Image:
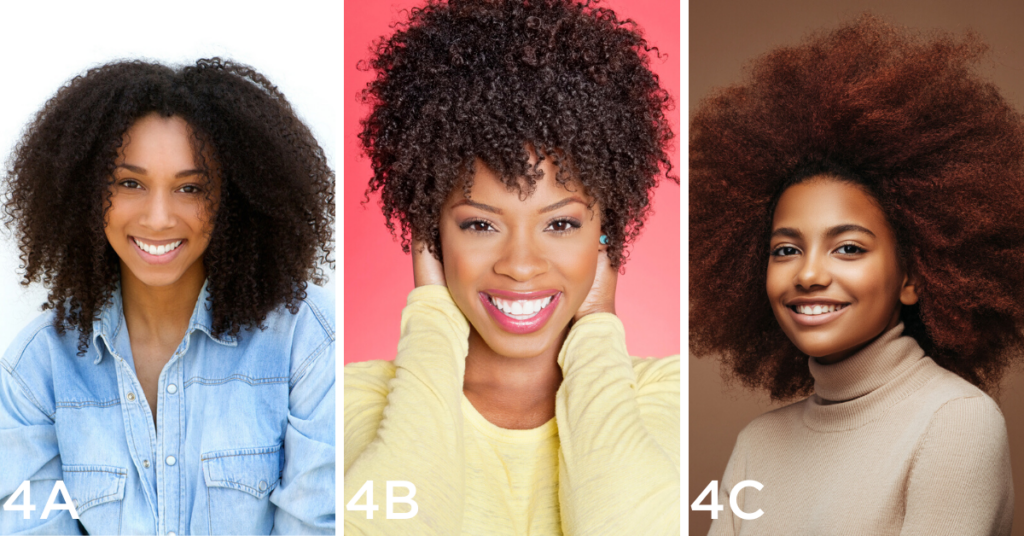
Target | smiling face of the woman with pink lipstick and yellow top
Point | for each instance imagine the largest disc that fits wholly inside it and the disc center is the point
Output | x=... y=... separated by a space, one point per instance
x=520 y=269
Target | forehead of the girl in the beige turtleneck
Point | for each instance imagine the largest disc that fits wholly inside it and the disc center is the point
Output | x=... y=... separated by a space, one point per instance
x=823 y=202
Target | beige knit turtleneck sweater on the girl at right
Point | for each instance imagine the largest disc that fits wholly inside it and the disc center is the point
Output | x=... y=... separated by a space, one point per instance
x=890 y=443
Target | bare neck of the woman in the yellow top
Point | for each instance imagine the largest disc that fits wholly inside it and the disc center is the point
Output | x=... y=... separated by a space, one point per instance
x=520 y=385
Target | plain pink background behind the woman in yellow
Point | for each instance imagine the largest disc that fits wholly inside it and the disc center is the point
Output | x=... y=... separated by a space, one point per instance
x=378 y=275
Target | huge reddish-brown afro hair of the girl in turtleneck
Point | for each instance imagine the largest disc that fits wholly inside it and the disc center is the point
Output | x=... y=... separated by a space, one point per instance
x=908 y=118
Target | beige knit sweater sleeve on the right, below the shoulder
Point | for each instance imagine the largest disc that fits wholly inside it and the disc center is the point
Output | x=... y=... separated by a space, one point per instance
x=961 y=481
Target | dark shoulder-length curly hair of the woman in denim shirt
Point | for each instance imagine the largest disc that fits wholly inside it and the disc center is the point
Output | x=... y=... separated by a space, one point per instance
x=274 y=226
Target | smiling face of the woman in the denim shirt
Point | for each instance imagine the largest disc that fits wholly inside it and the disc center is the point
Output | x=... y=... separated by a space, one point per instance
x=160 y=218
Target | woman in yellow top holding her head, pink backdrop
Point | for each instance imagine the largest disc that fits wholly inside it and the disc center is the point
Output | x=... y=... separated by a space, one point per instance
x=517 y=145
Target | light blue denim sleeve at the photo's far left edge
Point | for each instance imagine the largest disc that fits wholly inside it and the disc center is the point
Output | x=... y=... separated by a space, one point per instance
x=29 y=452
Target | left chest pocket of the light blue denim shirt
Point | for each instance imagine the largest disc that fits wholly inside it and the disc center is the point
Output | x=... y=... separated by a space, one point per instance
x=98 y=492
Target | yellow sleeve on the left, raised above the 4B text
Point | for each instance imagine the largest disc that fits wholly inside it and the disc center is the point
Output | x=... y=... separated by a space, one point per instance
x=419 y=435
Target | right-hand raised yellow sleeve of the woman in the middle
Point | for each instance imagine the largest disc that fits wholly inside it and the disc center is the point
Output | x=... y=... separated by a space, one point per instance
x=619 y=460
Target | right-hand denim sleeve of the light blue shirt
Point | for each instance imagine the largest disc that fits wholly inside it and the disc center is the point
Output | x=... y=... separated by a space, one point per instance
x=306 y=499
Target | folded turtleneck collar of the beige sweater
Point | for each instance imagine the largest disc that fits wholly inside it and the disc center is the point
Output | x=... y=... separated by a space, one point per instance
x=864 y=387
